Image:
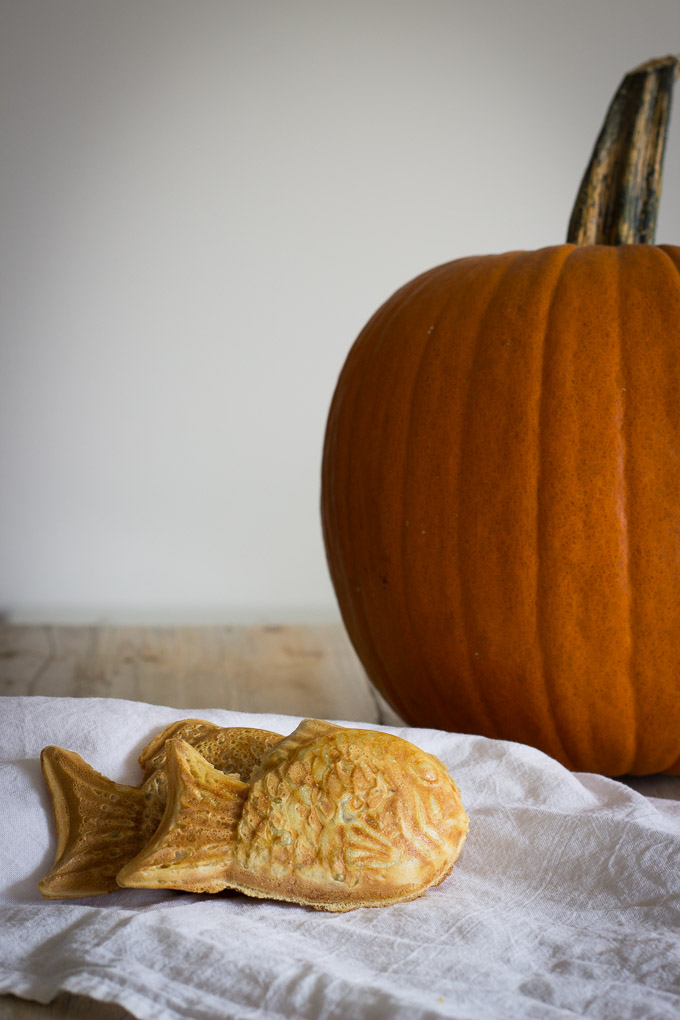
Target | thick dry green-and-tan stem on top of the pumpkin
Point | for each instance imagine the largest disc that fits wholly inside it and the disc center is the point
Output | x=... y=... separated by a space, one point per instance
x=618 y=200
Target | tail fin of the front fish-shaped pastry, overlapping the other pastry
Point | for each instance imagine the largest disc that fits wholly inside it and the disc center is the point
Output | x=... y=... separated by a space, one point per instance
x=193 y=847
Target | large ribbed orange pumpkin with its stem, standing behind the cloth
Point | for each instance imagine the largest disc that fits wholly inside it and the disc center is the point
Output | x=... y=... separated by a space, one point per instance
x=501 y=484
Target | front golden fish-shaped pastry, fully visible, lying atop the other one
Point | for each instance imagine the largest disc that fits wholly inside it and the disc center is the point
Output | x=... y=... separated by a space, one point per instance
x=333 y=818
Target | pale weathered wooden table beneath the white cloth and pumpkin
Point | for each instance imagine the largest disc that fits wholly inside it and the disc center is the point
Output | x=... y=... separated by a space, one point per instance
x=296 y=671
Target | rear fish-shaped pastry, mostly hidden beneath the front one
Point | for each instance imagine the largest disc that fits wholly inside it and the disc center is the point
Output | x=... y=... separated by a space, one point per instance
x=101 y=825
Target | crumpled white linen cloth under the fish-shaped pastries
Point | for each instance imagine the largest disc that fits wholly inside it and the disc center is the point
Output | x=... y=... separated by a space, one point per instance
x=565 y=901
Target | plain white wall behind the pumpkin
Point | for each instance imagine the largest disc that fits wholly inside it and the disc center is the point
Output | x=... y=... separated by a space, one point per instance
x=202 y=202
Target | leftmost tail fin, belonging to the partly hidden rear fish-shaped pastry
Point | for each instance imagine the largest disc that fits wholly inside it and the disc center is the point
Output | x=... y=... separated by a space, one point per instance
x=97 y=825
